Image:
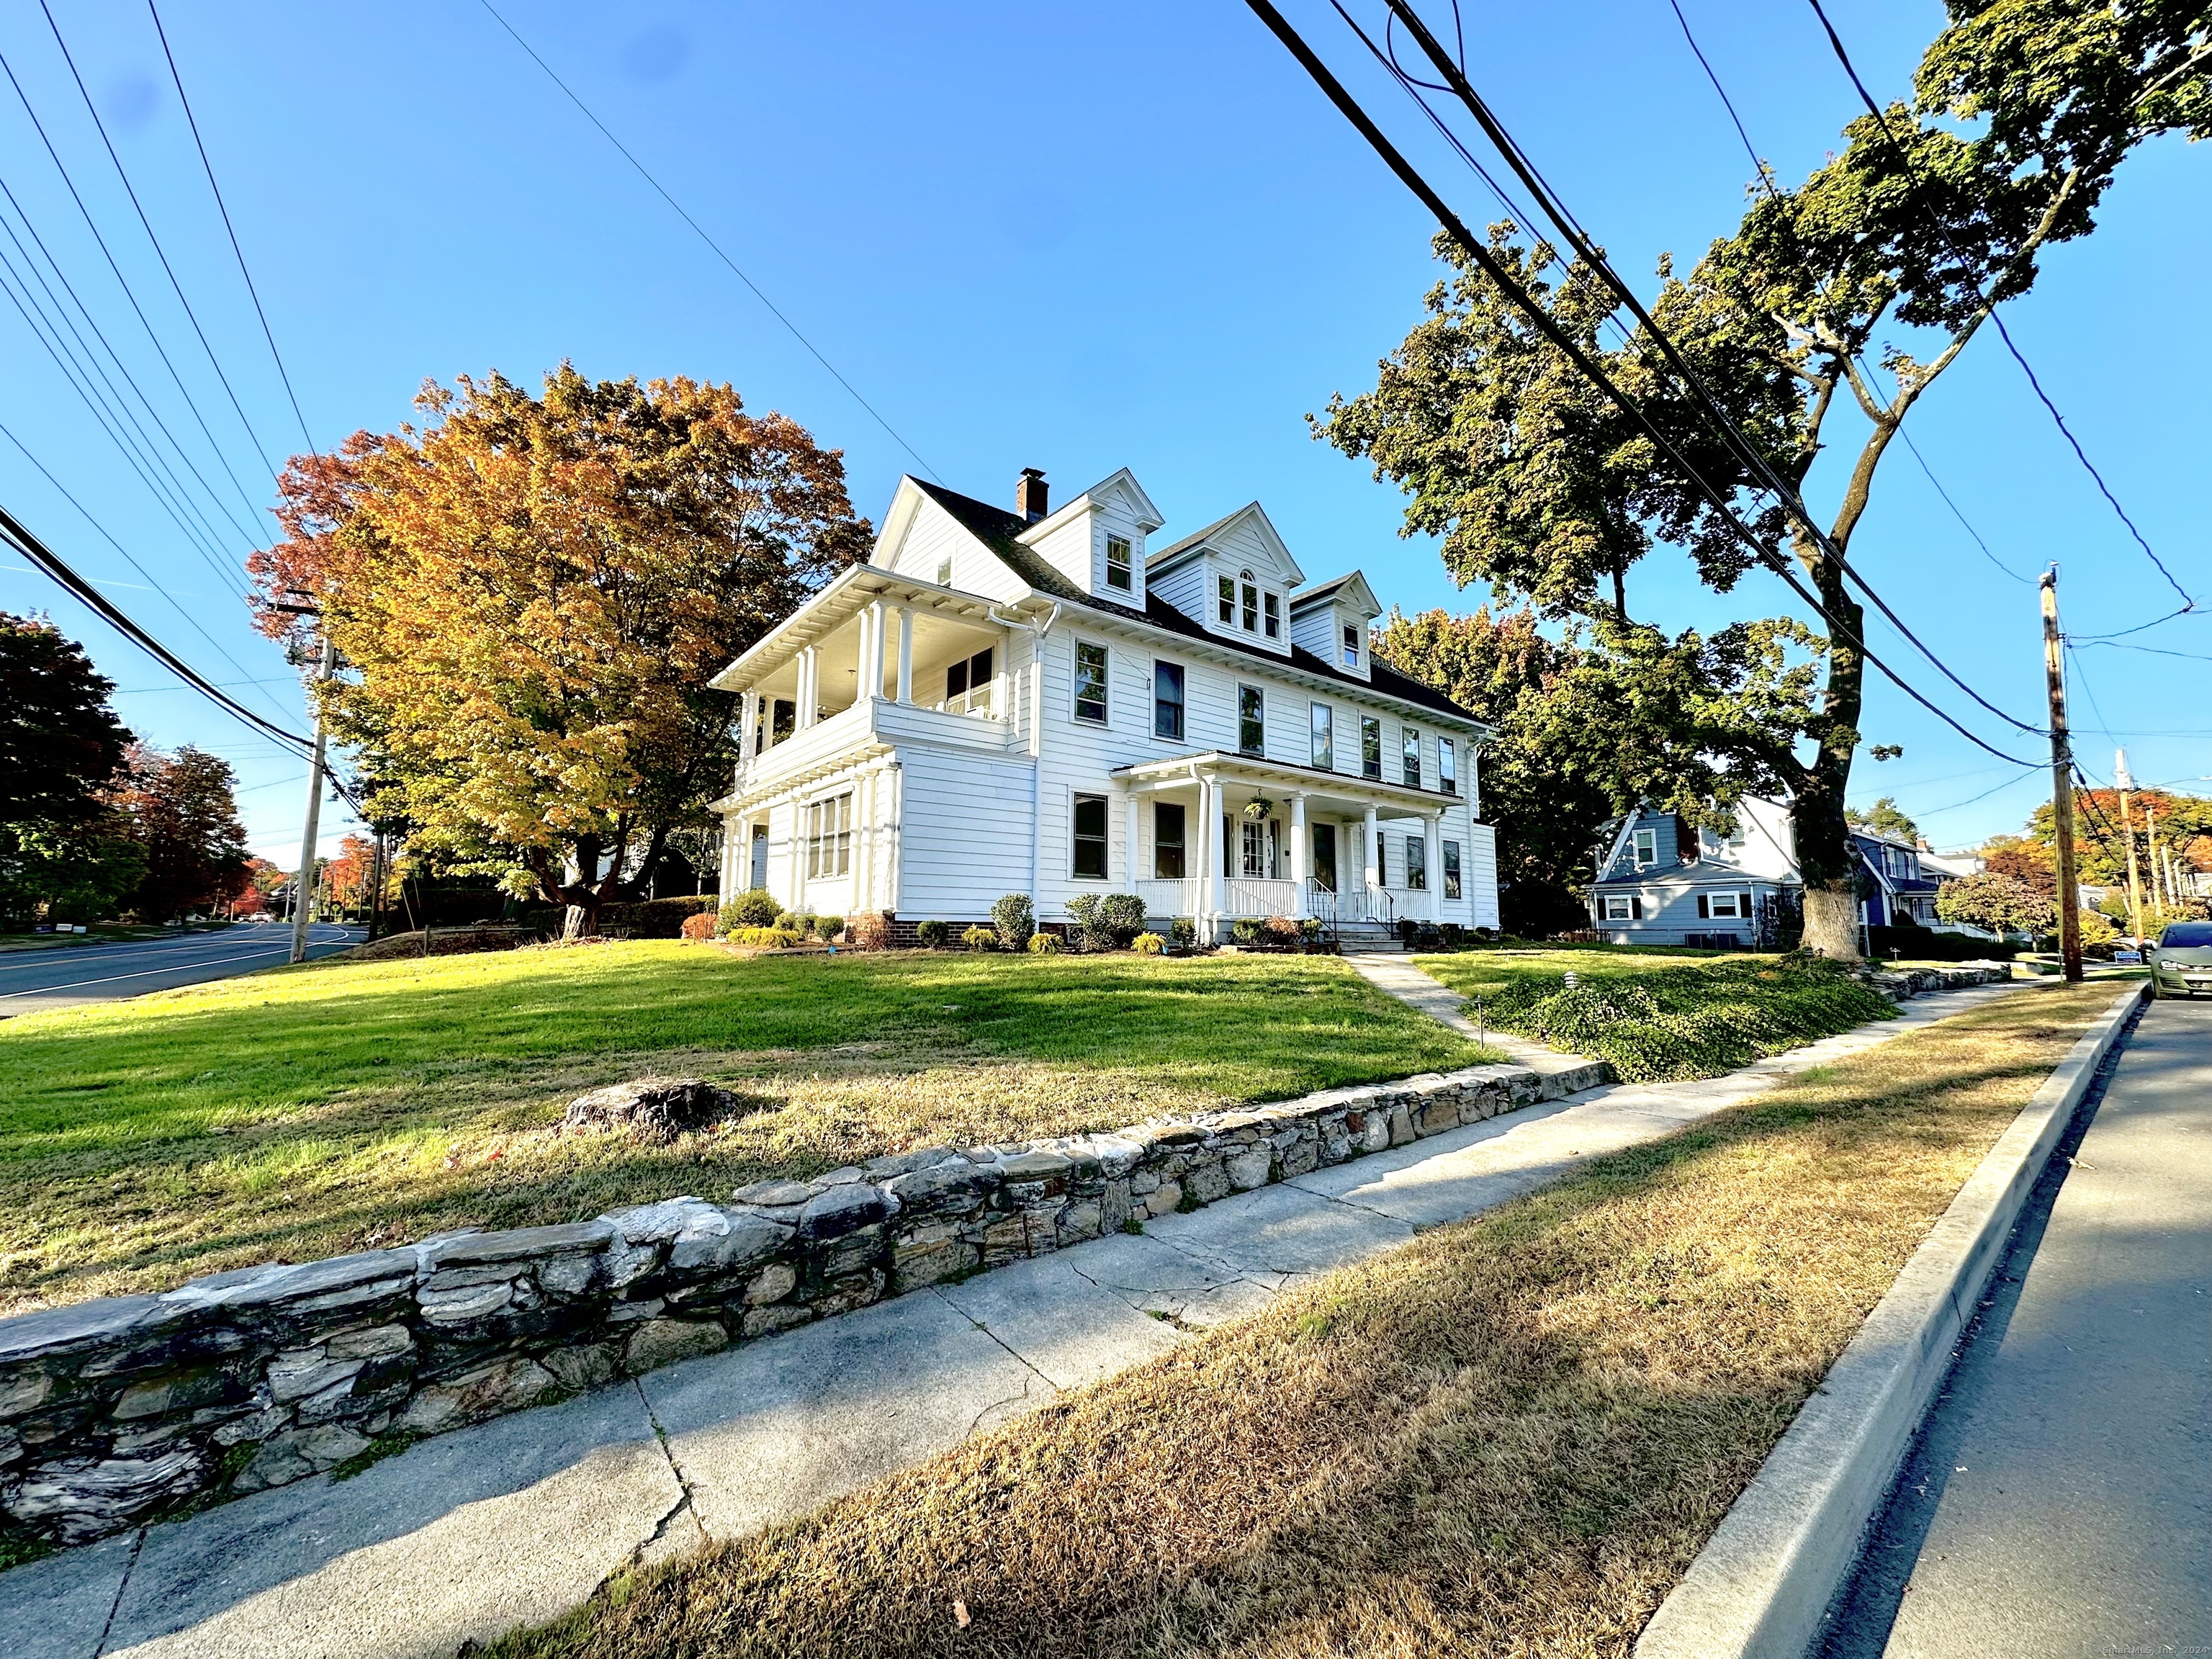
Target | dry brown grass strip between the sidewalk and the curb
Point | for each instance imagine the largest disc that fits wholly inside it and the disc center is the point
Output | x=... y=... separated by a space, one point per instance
x=1505 y=1439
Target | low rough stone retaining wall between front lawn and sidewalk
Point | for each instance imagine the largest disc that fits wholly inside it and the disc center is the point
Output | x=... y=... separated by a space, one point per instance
x=125 y=1410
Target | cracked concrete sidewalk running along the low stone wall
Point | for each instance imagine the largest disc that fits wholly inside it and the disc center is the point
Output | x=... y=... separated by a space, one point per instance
x=521 y=1519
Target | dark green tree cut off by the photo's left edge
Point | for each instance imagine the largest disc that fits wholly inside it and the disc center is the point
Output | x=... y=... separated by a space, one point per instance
x=61 y=747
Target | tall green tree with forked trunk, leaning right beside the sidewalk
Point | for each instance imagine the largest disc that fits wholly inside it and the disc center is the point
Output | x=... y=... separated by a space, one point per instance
x=1928 y=220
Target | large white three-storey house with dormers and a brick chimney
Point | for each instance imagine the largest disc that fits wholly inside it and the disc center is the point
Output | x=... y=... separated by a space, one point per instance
x=1043 y=702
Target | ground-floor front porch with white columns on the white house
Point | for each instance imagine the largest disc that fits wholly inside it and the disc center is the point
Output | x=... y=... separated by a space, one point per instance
x=1229 y=837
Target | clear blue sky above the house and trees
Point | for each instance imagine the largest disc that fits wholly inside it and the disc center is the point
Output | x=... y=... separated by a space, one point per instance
x=1067 y=238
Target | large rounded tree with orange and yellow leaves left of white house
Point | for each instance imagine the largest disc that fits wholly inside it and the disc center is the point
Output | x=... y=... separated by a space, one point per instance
x=530 y=594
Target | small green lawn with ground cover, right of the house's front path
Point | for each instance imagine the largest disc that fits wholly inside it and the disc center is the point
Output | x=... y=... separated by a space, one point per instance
x=1662 y=1014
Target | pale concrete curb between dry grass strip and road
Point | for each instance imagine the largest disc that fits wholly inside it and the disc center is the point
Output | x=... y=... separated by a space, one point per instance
x=1773 y=1567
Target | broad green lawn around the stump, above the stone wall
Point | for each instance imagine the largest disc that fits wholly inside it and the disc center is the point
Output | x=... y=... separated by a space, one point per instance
x=353 y=1105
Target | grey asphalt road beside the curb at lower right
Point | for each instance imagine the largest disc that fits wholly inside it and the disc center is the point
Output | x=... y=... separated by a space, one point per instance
x=2060 y=1499
